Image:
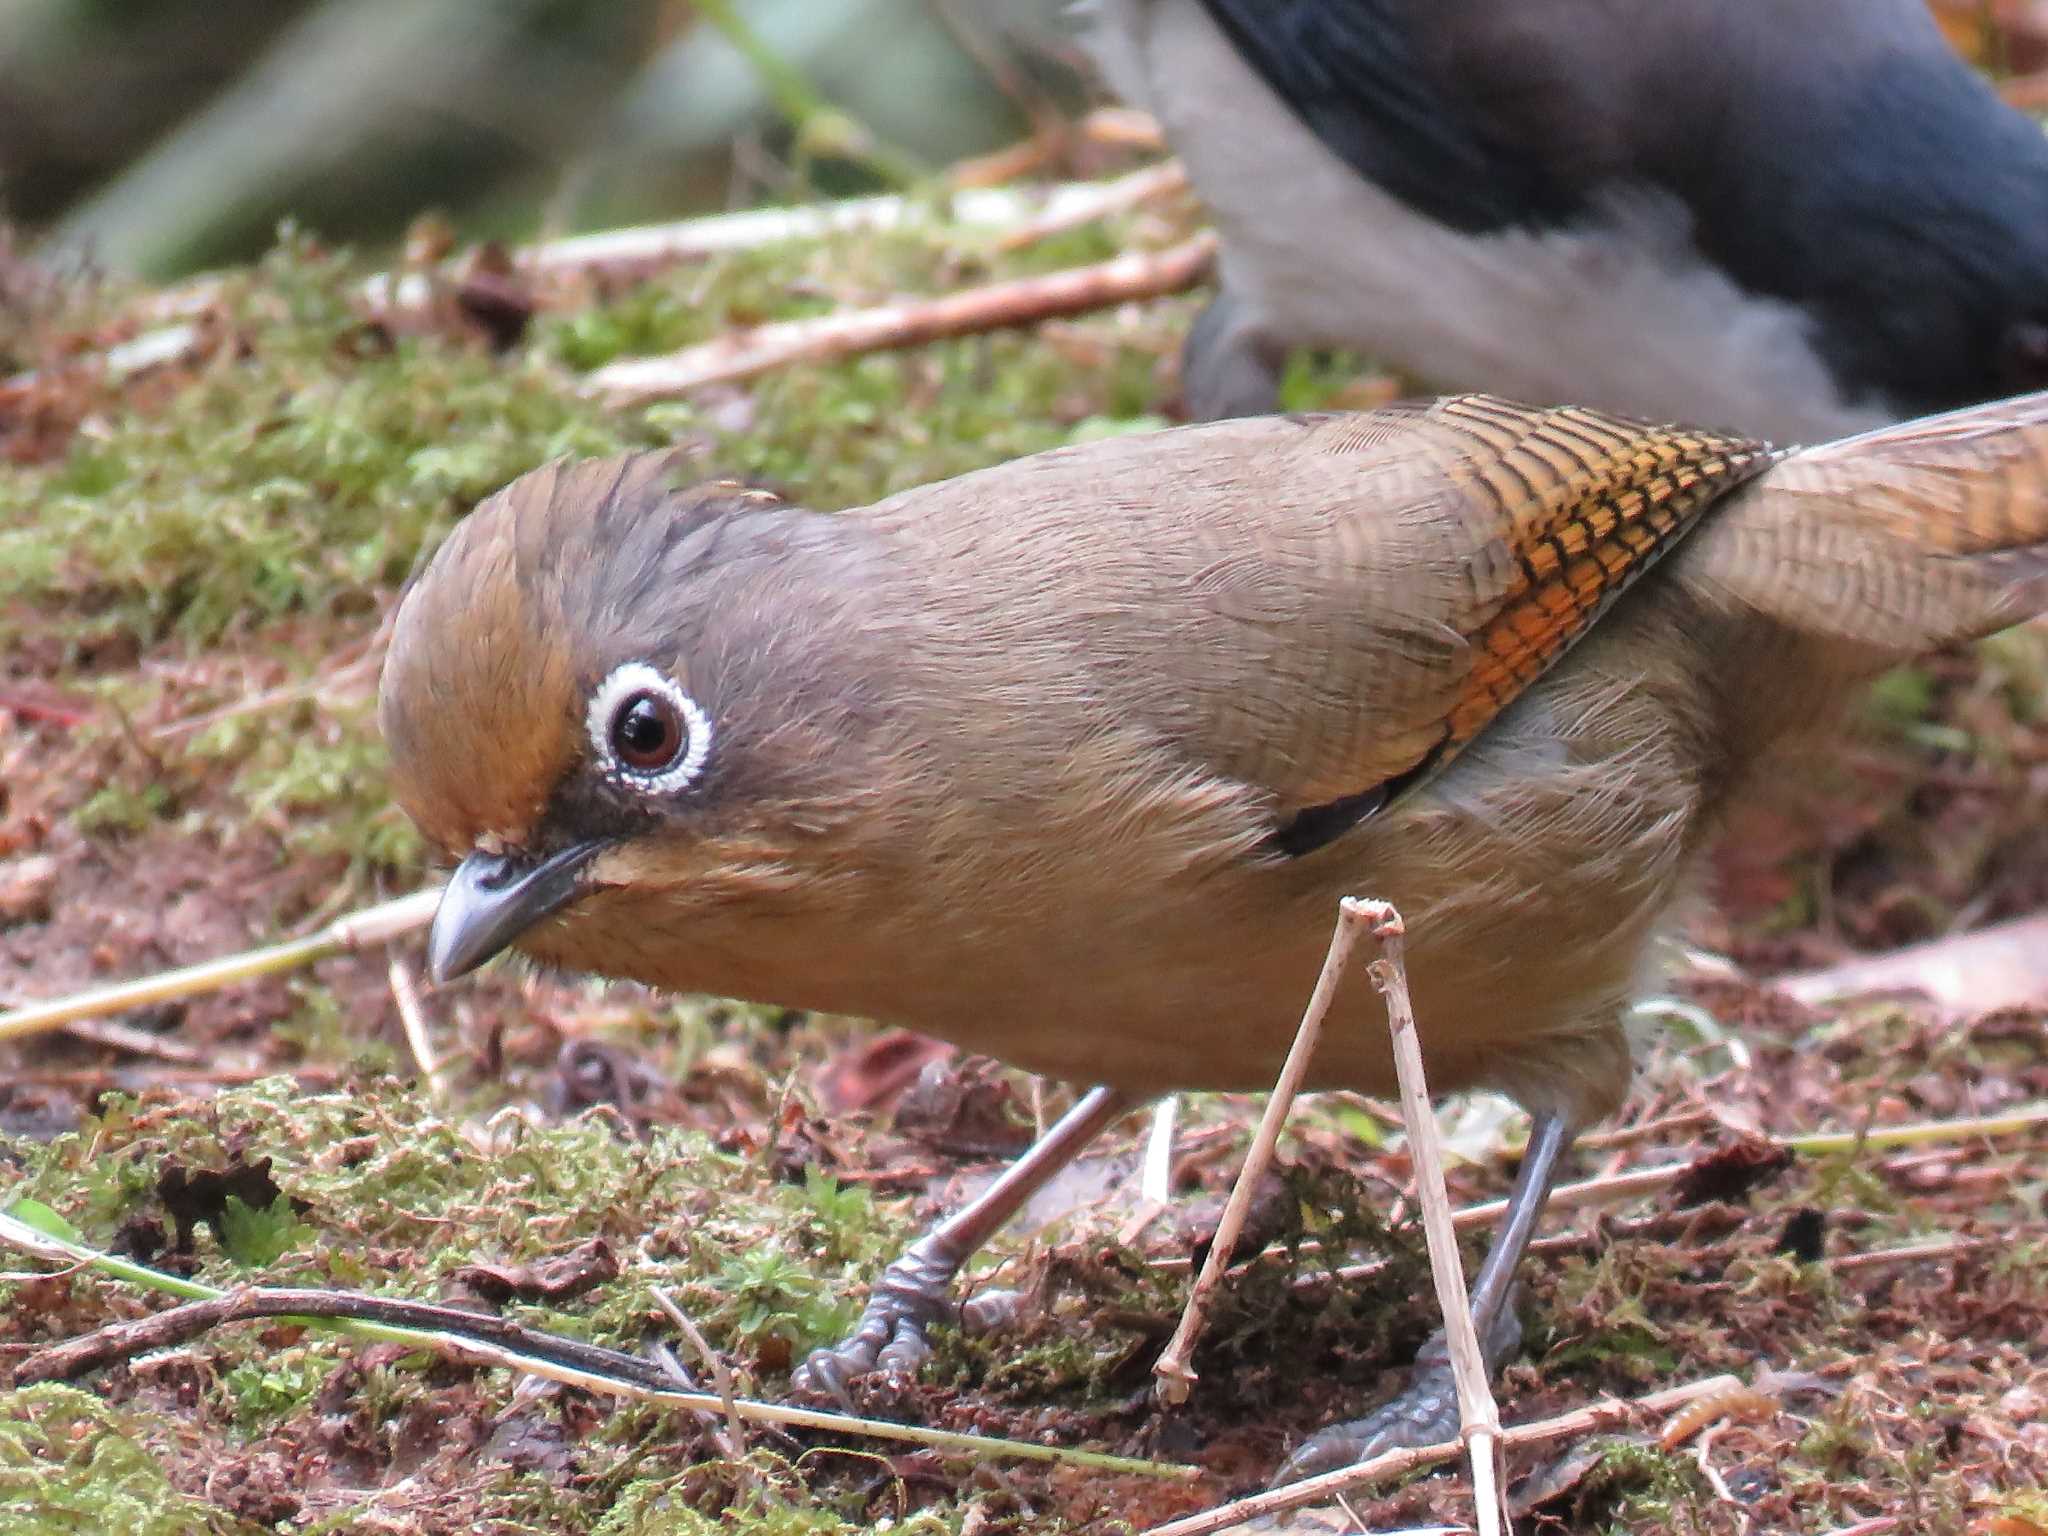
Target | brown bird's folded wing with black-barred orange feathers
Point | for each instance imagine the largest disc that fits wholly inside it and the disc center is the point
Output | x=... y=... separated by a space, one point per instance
x=1406 y=579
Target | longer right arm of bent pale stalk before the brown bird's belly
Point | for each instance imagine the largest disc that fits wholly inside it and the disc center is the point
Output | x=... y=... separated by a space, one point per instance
x=1478 y=1412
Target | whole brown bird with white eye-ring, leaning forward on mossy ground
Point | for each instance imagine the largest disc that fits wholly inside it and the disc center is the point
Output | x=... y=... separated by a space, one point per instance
x=1070 y=761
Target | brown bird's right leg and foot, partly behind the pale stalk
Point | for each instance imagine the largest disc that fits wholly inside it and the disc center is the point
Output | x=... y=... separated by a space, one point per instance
x=1426 y=1410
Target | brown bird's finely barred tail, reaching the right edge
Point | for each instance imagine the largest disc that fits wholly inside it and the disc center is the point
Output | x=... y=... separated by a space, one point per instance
x=1889 y=544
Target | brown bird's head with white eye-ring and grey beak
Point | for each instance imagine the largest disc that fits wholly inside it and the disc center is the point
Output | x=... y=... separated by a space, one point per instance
x=605 y=699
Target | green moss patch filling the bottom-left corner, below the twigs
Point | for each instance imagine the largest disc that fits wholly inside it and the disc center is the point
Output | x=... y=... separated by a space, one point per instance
x=71 y=1463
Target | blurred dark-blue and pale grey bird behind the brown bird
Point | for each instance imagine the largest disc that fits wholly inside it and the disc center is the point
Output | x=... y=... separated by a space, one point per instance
x=1787 y=220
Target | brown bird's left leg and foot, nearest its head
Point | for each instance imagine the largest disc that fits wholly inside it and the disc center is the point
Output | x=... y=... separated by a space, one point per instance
x=914 y=1291
